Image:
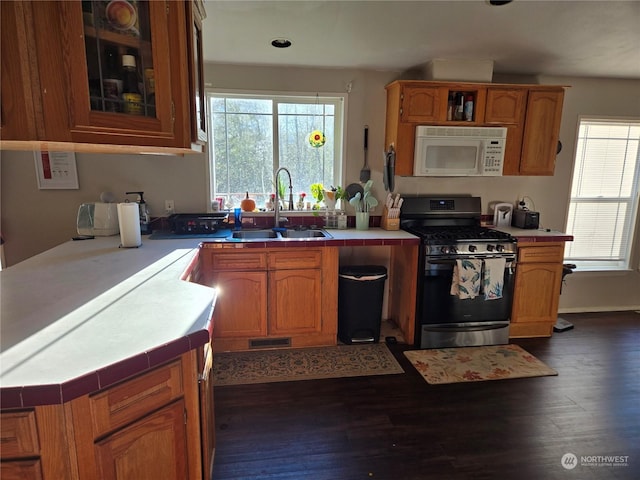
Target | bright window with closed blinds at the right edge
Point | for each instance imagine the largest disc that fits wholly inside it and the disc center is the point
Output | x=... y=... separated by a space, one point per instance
x=604 y=194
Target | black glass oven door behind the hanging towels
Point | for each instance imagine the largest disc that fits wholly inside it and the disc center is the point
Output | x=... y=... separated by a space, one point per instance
x=438 y=306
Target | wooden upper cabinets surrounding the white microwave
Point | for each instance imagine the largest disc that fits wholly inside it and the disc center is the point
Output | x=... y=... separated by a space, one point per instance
x=531 y=114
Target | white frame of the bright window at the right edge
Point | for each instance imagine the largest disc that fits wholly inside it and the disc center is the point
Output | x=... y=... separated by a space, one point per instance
x=632 y=226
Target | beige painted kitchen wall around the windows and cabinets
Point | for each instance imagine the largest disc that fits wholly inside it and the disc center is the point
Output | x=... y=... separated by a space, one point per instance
x=25 y=209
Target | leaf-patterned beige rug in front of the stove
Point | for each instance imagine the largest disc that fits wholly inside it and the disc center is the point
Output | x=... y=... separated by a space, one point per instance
x=475 y=364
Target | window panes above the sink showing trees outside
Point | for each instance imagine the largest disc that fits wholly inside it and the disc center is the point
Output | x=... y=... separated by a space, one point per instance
x=254 y=135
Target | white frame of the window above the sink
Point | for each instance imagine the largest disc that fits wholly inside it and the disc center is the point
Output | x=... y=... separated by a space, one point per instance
x=339 y=153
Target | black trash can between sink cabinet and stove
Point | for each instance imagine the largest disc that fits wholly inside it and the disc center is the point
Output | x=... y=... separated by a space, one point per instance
x=360 y=296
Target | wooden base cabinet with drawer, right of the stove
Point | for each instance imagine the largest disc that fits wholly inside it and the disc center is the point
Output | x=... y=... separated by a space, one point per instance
x=537 y=289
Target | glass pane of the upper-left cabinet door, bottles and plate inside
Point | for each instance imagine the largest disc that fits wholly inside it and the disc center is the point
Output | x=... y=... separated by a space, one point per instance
x=118 y=48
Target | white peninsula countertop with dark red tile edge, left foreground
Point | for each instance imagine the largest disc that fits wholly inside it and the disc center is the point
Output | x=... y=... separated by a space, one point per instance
x=87 y=314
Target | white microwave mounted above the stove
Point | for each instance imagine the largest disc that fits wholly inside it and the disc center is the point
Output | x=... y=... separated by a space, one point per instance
x=459 y=151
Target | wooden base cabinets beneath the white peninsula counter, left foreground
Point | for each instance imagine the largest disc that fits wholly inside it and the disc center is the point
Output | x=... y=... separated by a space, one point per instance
x=146 y=427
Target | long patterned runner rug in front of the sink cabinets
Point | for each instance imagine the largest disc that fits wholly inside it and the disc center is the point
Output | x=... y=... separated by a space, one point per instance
x=265 y=366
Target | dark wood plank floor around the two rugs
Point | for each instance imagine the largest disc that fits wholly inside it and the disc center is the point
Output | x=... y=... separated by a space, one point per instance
x=398 y=427
